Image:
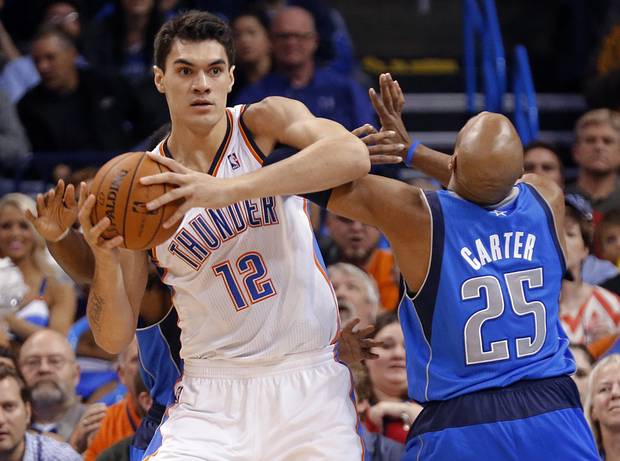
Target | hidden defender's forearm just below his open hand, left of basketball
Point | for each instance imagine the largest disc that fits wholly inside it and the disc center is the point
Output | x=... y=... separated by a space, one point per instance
x=74 y=256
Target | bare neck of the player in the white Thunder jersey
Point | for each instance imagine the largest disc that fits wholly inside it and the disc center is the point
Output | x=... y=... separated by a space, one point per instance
x=196 y=149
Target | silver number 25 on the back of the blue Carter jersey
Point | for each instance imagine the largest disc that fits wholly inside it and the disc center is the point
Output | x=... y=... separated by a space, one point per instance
x=525 y=346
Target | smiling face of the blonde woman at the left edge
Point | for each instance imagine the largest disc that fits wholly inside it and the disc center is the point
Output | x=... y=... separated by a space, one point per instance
x=16 y=234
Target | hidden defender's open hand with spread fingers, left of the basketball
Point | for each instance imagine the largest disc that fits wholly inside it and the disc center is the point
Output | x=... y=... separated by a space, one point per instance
x=56 y=212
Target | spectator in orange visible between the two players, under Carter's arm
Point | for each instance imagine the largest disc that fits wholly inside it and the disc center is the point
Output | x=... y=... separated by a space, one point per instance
x=356 y=243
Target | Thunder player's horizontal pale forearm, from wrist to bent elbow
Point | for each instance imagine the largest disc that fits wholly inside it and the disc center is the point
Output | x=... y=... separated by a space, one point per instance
x=323 y=165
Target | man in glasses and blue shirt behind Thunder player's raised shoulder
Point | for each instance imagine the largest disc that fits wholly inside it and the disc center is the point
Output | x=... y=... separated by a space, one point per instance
x=325 y=92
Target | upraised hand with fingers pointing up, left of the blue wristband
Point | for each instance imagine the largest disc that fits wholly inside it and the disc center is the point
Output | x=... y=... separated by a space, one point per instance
x=389 y=106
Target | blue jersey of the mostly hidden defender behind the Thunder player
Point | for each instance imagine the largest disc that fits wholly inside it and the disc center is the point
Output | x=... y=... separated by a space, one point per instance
x=161 y=365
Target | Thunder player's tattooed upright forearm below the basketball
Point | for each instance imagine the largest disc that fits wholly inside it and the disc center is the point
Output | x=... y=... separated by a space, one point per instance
x=110 y=316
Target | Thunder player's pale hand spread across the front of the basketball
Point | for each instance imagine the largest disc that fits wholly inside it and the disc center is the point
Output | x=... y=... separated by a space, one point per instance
x=195 y=188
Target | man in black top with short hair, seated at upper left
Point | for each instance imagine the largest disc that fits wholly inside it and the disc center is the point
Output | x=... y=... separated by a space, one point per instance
x=75 y=109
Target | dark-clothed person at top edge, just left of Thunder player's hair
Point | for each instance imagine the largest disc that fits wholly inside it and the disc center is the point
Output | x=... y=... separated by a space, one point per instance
x=122 y=42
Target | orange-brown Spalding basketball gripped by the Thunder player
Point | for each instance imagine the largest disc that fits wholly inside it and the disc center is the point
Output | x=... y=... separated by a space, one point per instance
x=121 y=197
